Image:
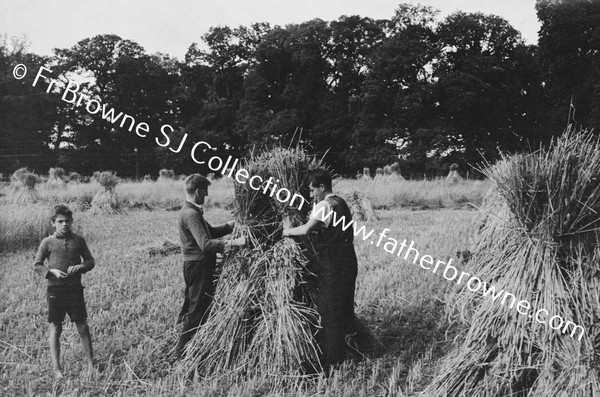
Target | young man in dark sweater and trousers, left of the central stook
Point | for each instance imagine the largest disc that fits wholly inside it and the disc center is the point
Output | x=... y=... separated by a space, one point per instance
x=199 y=246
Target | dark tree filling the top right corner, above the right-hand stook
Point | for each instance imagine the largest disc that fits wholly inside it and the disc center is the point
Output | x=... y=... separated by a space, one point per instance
x=569 y=50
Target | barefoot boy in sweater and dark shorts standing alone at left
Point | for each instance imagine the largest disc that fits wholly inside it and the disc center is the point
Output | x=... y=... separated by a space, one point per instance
x=68 y=258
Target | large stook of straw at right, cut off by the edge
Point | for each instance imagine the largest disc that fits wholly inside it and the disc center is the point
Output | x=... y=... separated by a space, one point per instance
x=541 y=246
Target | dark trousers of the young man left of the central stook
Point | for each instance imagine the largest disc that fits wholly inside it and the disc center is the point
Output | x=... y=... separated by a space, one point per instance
x=199 y=291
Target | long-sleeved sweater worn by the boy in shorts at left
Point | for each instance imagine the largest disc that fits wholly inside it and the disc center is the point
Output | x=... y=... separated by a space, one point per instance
x=62 y=252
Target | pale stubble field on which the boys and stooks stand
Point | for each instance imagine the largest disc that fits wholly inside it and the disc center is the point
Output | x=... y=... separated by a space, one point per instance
x=133 y=299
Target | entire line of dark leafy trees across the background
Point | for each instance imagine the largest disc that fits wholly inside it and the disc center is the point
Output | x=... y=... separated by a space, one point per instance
x=414 y=89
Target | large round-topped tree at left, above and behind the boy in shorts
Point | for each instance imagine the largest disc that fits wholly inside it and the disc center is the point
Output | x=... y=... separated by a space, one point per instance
x=119 y=74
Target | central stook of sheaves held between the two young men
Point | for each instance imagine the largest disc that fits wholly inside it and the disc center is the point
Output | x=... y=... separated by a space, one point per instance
x=263 y=315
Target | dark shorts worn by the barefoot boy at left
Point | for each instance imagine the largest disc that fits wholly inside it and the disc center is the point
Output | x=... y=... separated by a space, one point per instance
x=67 y=299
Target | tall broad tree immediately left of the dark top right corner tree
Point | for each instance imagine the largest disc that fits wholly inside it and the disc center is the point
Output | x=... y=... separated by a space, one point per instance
x=477 y=104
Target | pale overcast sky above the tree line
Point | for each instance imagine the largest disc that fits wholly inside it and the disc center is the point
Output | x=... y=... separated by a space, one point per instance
x=170 y=27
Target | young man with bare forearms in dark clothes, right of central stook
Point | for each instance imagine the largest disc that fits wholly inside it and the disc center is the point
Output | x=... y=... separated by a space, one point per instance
x=337 y=267
